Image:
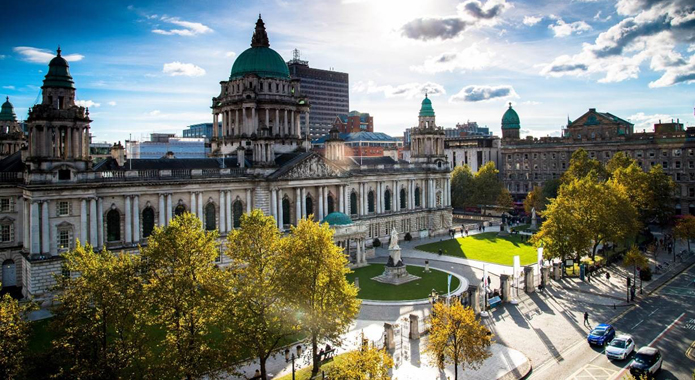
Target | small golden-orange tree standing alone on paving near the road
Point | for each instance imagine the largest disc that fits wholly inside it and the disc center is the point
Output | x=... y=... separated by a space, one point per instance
x=457 y=337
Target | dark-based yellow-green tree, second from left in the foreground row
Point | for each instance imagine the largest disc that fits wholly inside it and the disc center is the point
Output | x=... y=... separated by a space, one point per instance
x=100 y=316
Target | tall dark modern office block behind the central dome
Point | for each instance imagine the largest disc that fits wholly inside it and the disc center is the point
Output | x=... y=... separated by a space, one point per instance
x=327 y=90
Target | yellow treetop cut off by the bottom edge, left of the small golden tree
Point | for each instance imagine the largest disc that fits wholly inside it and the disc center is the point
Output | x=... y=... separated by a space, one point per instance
x=365 y=363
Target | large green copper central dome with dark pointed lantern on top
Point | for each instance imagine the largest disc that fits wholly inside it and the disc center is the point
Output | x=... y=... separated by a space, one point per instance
x=260 y=59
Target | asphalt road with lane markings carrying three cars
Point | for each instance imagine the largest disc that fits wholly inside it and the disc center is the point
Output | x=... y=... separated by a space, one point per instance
x=665 y=320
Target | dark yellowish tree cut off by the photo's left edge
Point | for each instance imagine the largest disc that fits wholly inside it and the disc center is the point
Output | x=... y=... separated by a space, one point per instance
x=14 y=334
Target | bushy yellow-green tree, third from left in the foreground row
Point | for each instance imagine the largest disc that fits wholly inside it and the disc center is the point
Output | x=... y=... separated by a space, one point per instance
x=184 y=289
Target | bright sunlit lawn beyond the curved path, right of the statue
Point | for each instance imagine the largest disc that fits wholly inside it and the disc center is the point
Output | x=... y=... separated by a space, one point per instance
x=486 y=247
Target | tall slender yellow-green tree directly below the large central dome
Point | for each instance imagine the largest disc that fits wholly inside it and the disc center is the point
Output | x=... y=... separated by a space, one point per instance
x=261 y=317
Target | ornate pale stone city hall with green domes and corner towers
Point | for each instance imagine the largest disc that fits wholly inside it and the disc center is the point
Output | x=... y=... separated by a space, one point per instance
x=53 y=195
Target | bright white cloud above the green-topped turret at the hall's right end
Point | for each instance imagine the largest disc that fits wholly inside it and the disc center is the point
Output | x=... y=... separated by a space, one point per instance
x=470 y=58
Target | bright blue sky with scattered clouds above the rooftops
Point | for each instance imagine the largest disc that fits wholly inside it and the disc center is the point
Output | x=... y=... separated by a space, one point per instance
x=151 y=66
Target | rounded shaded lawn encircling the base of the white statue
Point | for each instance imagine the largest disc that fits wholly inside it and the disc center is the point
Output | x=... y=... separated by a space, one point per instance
x=414 y=290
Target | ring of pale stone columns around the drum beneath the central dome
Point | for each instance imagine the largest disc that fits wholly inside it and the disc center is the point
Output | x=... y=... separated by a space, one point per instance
x=246 y=120
